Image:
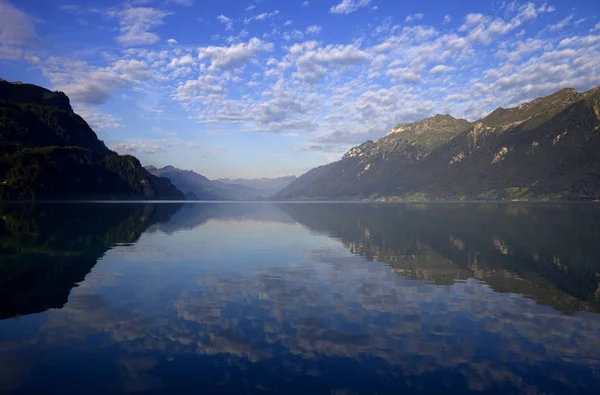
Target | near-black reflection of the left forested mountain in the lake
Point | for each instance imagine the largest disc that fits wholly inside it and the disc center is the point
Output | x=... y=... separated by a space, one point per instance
x=47 y=249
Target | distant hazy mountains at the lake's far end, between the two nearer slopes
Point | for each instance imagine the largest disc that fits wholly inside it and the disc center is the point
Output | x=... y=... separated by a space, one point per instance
x=197 y=187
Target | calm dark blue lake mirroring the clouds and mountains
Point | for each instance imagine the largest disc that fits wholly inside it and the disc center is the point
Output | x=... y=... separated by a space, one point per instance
x=300 y=298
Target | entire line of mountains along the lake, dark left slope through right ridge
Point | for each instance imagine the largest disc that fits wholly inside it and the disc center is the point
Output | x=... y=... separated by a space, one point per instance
x=548 y=148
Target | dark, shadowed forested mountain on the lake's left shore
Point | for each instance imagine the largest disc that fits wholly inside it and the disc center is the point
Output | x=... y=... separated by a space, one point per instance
x=49 y=152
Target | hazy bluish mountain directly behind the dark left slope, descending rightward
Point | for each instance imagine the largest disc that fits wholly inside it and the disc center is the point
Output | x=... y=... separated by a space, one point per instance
x=198 y=187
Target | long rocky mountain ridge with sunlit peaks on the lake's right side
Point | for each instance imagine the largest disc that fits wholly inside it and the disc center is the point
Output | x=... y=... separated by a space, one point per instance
x=548 y=148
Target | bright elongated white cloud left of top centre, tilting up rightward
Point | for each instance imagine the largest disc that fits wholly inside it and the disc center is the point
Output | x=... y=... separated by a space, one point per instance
x=234 y=55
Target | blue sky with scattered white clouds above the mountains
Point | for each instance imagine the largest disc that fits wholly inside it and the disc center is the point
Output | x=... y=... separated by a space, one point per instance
x=267 y=88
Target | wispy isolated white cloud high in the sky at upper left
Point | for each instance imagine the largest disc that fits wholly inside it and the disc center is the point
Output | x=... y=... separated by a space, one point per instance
x=136 y=23
